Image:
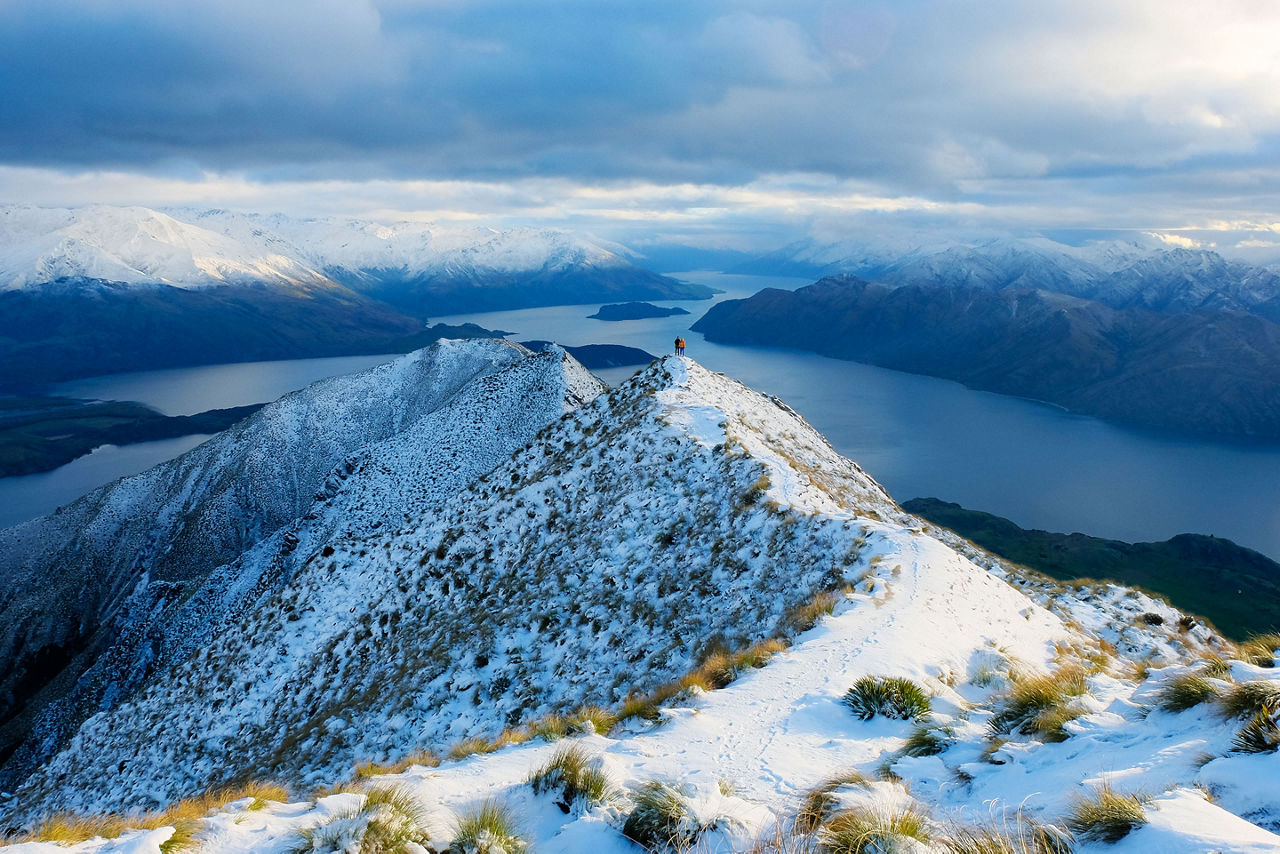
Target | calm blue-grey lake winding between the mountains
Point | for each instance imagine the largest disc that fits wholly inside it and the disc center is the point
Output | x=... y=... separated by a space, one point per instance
x=918 y=436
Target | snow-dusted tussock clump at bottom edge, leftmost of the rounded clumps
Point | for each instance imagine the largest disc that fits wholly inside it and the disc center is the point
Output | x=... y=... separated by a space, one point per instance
x=388 y=821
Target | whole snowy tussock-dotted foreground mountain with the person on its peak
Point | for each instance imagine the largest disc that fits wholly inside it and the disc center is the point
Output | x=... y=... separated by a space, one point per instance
x=633 y=555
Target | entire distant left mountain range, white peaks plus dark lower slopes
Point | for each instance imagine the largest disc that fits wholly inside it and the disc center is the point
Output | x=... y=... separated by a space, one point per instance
x=103 y=290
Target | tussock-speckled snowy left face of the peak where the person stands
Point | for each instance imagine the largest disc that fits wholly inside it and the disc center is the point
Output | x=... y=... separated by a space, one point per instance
x=598 y=561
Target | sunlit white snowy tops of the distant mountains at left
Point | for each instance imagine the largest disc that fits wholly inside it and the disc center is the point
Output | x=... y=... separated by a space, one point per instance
x=188 y=249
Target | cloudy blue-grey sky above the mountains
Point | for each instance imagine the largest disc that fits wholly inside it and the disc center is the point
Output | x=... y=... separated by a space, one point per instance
x=715 y=124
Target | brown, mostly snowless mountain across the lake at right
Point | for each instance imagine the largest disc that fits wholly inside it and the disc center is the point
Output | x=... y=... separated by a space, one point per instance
x=1203 y=372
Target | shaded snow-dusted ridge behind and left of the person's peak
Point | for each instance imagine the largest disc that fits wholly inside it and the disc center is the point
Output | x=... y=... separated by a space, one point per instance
x=90 y=592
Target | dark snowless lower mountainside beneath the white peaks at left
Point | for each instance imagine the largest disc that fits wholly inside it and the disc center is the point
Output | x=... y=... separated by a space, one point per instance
x=86 y=327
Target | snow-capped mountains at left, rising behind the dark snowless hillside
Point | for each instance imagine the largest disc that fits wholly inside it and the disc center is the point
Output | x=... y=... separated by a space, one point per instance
x=422 y=267
